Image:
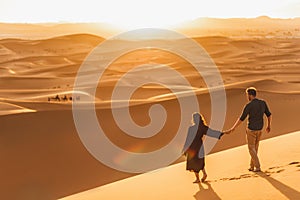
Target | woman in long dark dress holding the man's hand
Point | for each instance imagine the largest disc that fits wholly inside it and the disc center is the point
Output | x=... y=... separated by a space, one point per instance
x=194 y=152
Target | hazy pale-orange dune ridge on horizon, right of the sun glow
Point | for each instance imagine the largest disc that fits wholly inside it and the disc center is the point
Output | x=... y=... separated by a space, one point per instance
x=262 y=26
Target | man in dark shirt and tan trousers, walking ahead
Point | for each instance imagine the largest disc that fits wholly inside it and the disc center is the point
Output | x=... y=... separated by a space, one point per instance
x=255 y=111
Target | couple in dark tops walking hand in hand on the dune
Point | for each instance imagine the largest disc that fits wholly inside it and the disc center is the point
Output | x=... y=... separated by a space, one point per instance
x=255 y=110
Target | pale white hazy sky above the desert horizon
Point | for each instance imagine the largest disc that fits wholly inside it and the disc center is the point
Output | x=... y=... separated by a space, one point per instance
x=141 y=13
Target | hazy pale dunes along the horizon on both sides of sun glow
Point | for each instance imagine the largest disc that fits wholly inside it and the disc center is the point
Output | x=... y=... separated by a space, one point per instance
x=262 y=26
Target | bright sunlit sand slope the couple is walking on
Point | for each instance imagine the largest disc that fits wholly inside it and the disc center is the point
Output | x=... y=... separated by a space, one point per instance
x=228 y=177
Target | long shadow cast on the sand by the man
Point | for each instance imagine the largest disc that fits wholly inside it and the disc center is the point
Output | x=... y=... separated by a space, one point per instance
x=287 y=191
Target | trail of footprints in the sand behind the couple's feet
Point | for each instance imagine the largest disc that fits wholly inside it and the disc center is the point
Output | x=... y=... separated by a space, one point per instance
x=268 y=172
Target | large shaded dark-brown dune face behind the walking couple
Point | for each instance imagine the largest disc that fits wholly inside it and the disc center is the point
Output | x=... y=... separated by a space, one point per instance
x=43 y=156
